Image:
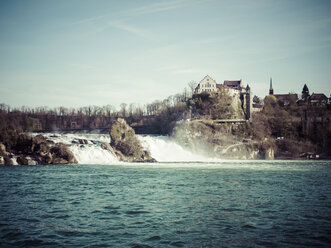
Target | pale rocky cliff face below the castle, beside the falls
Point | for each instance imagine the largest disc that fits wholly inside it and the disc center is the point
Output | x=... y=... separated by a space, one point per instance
x=226 y=141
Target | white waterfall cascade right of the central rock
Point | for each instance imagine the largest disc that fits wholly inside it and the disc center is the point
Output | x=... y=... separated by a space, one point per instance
x=165 y=149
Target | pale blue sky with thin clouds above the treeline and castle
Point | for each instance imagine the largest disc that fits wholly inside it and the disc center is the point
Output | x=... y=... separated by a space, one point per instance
x=76 y=53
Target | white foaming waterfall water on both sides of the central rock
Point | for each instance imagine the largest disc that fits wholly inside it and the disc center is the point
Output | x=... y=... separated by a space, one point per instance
x=162 y=148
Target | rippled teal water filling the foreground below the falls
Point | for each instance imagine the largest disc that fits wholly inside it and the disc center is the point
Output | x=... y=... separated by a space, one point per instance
x=229 y=204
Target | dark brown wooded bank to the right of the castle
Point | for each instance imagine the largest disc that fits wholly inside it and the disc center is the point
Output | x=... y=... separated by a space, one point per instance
x=295 y=129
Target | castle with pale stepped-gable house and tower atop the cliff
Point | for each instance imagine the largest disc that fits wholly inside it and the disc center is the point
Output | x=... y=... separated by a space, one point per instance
x=209 y=85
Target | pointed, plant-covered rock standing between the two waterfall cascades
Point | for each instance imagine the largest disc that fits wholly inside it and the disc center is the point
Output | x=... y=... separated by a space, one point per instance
x=126 y=145
